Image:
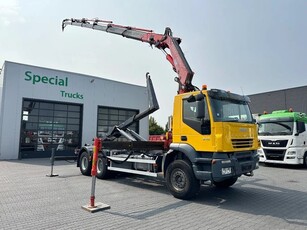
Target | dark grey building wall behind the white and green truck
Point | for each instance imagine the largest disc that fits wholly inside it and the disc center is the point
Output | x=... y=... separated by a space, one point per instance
x=295 y=98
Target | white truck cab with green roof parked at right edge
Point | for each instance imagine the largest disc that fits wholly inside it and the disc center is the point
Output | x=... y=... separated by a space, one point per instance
x=283 y=138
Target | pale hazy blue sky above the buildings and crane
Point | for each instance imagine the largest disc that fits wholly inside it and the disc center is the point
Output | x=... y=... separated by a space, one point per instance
x=244 y=46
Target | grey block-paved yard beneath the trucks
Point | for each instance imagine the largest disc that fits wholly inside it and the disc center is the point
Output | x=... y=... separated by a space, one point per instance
x=275 y=198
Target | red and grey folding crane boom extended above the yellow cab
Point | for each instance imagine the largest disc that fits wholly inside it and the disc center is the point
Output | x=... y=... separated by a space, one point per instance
x=161 y=41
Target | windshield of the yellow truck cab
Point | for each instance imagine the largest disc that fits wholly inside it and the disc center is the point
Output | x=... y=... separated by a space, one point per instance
x=231 y=110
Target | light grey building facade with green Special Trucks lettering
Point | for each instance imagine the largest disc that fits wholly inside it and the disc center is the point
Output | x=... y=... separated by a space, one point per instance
x=42 y=109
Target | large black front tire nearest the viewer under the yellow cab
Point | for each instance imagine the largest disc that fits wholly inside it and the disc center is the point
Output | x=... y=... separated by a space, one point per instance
x=180 y=180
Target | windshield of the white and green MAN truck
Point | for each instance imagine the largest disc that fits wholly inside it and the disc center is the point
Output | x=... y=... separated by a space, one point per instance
x=275 y=128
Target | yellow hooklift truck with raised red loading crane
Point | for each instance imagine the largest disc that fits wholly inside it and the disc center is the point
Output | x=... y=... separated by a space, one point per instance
x=212 y=136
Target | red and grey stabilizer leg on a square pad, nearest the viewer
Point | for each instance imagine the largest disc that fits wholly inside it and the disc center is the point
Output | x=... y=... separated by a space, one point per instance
x=98 y=206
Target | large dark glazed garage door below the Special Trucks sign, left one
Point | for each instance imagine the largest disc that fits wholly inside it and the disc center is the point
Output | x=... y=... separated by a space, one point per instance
x=47 y=125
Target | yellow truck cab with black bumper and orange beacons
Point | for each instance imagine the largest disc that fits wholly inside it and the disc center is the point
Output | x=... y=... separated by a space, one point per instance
x=216 y=131
